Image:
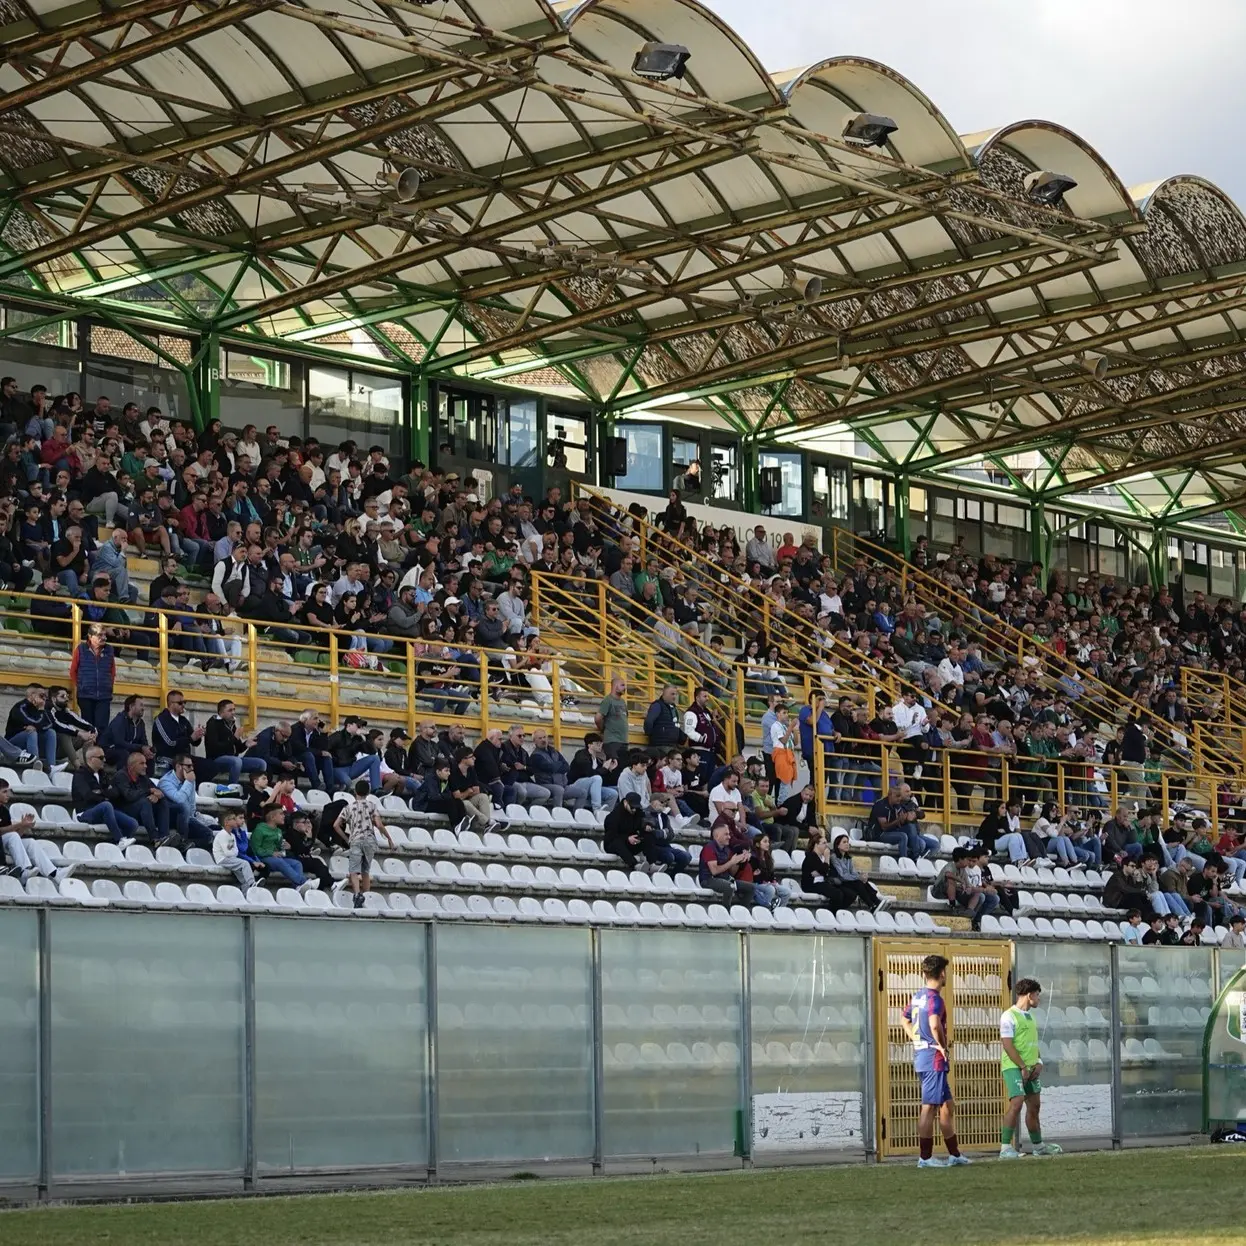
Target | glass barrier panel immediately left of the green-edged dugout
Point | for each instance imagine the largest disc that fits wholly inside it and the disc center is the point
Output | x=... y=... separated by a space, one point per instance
x=1164 y=999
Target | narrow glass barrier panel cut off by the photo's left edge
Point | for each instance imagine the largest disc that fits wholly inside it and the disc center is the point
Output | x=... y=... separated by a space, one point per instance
x=19 y=1041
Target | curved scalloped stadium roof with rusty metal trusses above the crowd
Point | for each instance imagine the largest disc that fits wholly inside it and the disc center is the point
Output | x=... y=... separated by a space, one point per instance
x=217 y=164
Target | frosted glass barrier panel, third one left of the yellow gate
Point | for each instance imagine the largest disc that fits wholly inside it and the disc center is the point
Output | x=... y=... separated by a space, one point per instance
x=515 y=1041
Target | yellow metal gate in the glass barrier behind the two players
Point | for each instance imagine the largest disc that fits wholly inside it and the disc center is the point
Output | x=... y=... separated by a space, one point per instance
x=979 y=990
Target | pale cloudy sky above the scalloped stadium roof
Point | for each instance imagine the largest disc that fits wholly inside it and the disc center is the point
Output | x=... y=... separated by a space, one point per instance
x=1154 y=87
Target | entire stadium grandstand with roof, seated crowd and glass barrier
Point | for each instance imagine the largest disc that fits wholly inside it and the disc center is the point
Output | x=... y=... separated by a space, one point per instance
x=543 y=560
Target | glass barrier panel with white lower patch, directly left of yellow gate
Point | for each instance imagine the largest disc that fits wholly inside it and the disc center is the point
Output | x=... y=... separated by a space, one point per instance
x=809 y=1017
